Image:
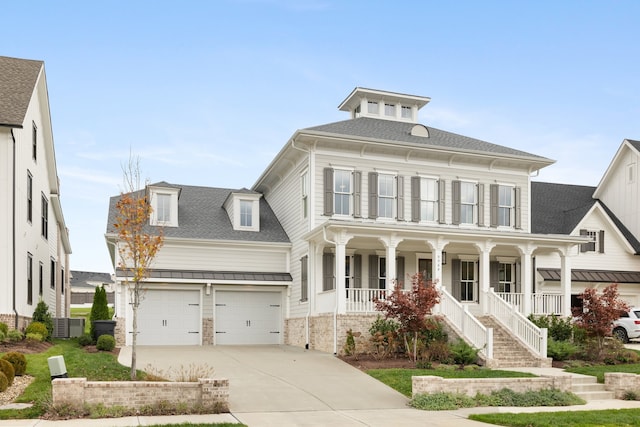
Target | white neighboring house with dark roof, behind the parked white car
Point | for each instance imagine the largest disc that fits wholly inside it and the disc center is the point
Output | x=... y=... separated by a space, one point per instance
x=608 y=214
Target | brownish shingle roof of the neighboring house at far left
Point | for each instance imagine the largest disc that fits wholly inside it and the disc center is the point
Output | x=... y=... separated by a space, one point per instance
x=18 y=78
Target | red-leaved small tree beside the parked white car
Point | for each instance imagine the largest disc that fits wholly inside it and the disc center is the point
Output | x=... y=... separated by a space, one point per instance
x=598 y=312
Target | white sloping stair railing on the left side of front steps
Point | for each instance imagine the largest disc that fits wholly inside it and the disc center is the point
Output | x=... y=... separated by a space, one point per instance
x=458 y=314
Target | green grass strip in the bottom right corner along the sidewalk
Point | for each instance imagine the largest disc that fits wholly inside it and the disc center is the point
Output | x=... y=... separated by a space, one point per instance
x=606 y=418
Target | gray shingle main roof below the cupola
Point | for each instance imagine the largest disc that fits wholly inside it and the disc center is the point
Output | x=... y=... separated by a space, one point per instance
x=367 y=127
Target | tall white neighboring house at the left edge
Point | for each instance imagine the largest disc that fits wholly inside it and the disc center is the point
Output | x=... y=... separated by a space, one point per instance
x=34 y=255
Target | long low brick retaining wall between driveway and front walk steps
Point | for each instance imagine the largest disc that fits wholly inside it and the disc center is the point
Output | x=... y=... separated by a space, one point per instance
x=472 y=386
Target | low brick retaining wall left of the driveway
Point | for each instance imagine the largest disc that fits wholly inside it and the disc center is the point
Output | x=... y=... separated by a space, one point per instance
x=76 y=392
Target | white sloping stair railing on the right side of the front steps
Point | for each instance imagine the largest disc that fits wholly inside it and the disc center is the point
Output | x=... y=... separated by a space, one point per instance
x=534 y=337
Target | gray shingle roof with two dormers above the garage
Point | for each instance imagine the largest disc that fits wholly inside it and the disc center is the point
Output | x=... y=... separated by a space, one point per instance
x=201 y=216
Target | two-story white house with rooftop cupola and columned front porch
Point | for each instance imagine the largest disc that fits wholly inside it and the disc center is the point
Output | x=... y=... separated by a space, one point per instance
x=361 y=205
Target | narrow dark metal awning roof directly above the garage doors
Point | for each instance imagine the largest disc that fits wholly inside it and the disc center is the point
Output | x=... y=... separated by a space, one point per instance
x=198 y=275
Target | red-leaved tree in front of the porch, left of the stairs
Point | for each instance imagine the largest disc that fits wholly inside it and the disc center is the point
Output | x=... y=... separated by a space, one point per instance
x=410 y=309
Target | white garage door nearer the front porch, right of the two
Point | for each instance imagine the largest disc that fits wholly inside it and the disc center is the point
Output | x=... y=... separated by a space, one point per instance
x=247 y=317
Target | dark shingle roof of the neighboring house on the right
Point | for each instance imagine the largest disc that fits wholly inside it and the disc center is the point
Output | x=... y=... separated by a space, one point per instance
x=558 y=208
